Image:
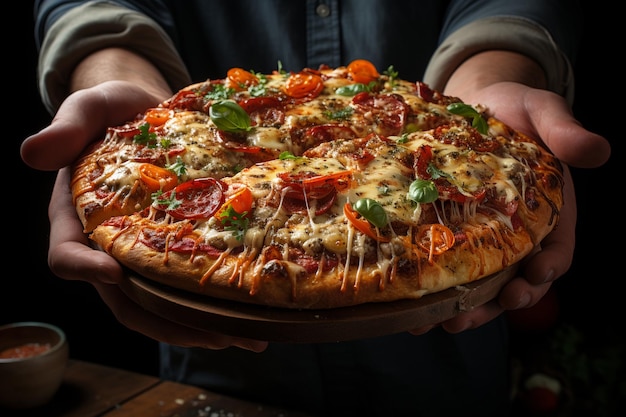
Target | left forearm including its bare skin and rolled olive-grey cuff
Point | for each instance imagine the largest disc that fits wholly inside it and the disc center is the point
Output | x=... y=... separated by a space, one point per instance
x=80 y=48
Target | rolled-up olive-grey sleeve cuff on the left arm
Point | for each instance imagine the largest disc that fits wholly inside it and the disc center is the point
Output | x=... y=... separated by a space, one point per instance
x=92 y=26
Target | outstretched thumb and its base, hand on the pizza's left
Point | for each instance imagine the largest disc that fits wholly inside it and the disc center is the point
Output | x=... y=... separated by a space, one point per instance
x=80 y=120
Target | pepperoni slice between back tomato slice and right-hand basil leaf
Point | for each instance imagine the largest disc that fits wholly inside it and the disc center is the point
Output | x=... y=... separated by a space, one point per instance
x=388 y=112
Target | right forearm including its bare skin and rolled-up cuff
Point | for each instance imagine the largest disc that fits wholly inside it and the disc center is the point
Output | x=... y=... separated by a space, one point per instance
x=500 y=48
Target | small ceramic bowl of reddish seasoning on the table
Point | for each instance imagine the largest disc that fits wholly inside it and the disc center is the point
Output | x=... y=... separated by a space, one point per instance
x=33 y=358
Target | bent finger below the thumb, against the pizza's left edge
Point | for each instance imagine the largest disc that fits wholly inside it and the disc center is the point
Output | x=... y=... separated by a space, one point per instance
x=69 y=255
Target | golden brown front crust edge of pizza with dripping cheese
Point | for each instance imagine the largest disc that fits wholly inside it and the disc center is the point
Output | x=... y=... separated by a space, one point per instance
x=279 y=285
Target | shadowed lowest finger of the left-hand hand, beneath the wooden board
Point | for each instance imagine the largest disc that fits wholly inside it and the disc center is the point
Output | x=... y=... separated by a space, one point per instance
x=136 y=318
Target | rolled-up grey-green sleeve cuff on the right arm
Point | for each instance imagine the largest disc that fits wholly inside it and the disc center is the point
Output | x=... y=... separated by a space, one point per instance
x=502 y=33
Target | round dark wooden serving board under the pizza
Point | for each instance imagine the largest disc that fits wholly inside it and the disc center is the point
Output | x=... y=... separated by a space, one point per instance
x=310 y=326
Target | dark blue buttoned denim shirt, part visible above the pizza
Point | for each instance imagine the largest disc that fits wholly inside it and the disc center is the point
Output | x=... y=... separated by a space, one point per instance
x=212 y=36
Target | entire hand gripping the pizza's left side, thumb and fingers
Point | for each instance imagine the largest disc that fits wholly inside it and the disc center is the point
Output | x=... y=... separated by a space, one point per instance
x=82 y=118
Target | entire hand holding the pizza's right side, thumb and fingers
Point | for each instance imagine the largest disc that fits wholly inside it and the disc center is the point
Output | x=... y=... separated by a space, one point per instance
x=545 y=115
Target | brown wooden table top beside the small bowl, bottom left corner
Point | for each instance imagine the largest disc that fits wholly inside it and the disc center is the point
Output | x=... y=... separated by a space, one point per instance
x=91 y=390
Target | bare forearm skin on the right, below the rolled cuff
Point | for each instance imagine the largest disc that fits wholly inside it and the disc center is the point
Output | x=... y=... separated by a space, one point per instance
x=486 y=68
